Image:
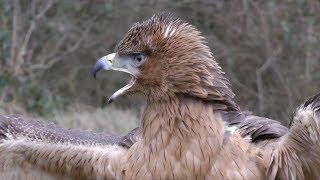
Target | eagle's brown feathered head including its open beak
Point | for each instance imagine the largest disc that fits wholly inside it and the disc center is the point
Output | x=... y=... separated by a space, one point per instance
x=166 y=57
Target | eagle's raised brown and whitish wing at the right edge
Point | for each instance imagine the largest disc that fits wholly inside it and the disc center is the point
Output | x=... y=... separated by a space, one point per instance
x=299 y=150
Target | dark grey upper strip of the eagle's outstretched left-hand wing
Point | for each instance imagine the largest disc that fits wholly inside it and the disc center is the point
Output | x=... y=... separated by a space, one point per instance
x=33 y=129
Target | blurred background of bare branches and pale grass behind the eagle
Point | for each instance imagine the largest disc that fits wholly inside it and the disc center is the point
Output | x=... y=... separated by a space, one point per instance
x=270 y=51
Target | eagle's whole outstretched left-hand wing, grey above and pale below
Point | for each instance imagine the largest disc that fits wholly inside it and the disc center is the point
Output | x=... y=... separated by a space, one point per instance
x=33 y=147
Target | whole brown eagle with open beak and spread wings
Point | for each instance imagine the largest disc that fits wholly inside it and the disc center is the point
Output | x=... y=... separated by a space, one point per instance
x=191 y=128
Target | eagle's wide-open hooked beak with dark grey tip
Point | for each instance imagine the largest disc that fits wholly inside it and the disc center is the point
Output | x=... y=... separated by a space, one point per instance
x=113 y=62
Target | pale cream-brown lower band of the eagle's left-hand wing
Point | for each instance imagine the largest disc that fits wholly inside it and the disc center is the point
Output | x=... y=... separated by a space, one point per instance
x=61 y=158
